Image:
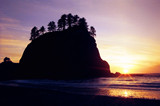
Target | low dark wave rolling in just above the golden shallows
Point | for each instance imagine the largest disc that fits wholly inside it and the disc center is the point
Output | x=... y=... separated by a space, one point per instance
x=50 y=84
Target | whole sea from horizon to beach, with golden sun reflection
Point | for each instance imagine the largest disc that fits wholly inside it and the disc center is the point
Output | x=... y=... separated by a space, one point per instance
x=128 y=86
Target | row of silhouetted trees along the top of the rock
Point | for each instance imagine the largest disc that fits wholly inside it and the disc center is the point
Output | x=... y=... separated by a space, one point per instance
x=65 y=22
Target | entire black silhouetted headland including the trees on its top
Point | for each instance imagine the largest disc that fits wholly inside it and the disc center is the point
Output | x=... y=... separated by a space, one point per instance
x=67 y=50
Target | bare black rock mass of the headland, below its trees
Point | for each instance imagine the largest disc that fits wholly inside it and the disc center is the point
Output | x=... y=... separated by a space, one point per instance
x=67 y=54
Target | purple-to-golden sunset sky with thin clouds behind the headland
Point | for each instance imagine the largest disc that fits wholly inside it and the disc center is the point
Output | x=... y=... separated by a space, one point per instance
x=128 y=31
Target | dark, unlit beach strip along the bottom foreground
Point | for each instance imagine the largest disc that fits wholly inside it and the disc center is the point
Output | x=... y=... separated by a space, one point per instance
x=20 y=96
